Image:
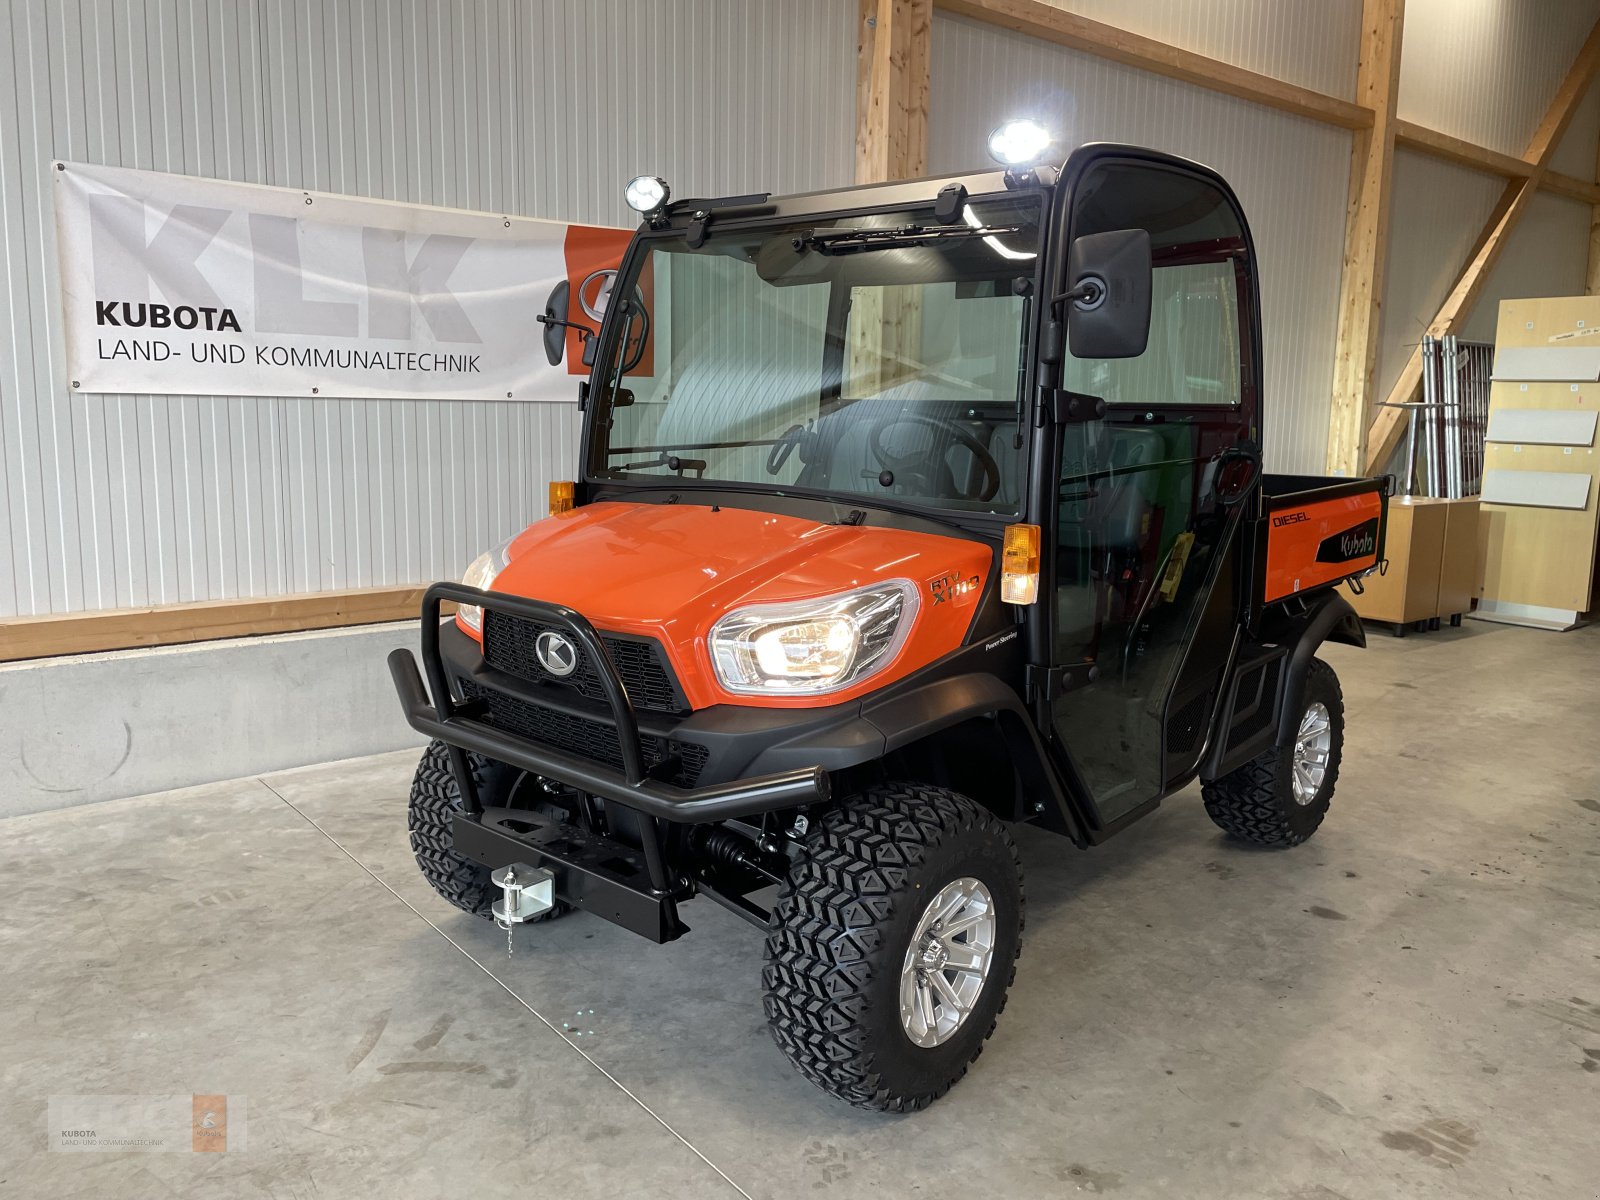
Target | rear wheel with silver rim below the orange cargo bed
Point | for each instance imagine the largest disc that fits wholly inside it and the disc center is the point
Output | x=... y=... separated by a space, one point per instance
x=1262 y=802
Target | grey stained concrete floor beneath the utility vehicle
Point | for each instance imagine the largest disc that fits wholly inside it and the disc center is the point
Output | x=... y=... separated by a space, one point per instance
x=1406 y=1007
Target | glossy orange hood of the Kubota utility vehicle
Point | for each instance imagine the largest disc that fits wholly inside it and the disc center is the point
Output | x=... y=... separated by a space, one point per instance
x=673 y=570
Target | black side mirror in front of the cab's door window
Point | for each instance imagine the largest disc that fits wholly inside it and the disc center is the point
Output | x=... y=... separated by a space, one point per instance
x=1110 y=295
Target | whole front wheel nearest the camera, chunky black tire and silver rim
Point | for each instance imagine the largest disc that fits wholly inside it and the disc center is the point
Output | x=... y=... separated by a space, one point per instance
x=892 y=946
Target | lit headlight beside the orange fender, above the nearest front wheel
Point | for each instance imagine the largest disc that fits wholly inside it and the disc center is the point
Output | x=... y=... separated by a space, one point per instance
x=815 y=646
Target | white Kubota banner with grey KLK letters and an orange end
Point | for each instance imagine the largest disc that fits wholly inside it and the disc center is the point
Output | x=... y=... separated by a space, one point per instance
x=202 y=287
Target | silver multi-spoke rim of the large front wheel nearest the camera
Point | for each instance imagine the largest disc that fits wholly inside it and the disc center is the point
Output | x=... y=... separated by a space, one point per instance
x=948 y=962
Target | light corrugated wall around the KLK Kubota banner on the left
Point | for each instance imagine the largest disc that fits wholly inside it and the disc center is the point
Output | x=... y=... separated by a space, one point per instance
x=494 y=105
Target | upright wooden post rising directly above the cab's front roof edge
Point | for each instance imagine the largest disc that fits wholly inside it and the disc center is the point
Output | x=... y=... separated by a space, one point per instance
x=892 y=89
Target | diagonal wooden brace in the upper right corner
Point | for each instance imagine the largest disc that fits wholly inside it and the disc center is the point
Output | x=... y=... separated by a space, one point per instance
x=1388 y=425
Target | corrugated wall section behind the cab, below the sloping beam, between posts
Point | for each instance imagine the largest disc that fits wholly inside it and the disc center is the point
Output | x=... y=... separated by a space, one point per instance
x=1290 y=174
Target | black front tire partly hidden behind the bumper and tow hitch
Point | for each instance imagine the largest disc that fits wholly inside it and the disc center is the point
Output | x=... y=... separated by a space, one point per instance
x=431 y=818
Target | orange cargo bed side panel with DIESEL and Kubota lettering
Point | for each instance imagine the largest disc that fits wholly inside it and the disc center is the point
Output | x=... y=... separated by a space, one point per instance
x=1316 y=532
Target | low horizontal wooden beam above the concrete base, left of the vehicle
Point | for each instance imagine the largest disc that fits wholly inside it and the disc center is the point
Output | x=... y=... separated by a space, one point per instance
x=25 y=638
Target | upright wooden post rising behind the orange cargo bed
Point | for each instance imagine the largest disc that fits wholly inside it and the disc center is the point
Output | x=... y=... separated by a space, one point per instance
x=1366 y=236
